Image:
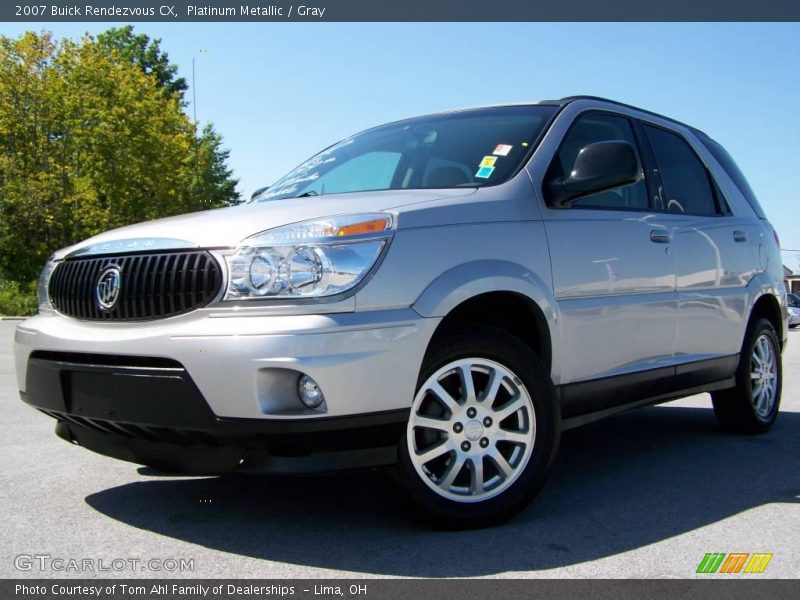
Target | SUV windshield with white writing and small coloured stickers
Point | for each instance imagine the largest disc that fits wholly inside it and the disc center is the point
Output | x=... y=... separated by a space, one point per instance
x=470 y=148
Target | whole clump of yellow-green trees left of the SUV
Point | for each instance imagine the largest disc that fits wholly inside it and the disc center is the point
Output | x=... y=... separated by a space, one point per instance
x=89 y=141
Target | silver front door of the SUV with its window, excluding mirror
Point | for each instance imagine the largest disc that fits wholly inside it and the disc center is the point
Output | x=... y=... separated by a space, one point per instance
x=613 y=278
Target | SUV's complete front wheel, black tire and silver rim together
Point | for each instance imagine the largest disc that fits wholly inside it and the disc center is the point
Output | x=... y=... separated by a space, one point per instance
x=483 y=429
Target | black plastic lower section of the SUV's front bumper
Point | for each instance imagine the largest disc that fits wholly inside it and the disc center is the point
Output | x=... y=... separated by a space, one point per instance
x=150 y=412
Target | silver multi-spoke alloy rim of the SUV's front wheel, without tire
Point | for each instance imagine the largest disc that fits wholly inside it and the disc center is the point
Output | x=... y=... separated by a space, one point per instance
x=472 y=429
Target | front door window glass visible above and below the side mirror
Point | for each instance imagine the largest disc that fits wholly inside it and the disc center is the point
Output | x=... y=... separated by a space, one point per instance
x=599 y=128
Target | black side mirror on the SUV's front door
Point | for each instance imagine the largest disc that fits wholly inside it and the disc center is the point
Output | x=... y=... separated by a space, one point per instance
x=599 y=166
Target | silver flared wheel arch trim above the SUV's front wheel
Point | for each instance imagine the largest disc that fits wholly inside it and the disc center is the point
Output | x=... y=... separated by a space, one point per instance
x=471 y=279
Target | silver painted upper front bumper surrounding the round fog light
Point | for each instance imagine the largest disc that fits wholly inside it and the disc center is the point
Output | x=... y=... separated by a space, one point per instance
x=246 y=366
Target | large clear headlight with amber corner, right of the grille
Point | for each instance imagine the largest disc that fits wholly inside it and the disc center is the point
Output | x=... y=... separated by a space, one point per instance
x=312 y=259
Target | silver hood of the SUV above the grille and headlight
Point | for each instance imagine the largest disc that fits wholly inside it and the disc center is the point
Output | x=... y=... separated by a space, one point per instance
x=226 y=227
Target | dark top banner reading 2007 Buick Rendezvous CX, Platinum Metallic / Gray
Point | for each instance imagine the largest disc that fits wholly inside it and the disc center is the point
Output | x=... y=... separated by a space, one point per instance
x=401 y=10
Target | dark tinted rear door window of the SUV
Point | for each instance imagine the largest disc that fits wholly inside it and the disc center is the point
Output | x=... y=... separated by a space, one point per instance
x=686 y=184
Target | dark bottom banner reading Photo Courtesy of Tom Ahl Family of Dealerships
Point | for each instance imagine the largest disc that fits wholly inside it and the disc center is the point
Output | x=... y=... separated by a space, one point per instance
x=399 y=589
